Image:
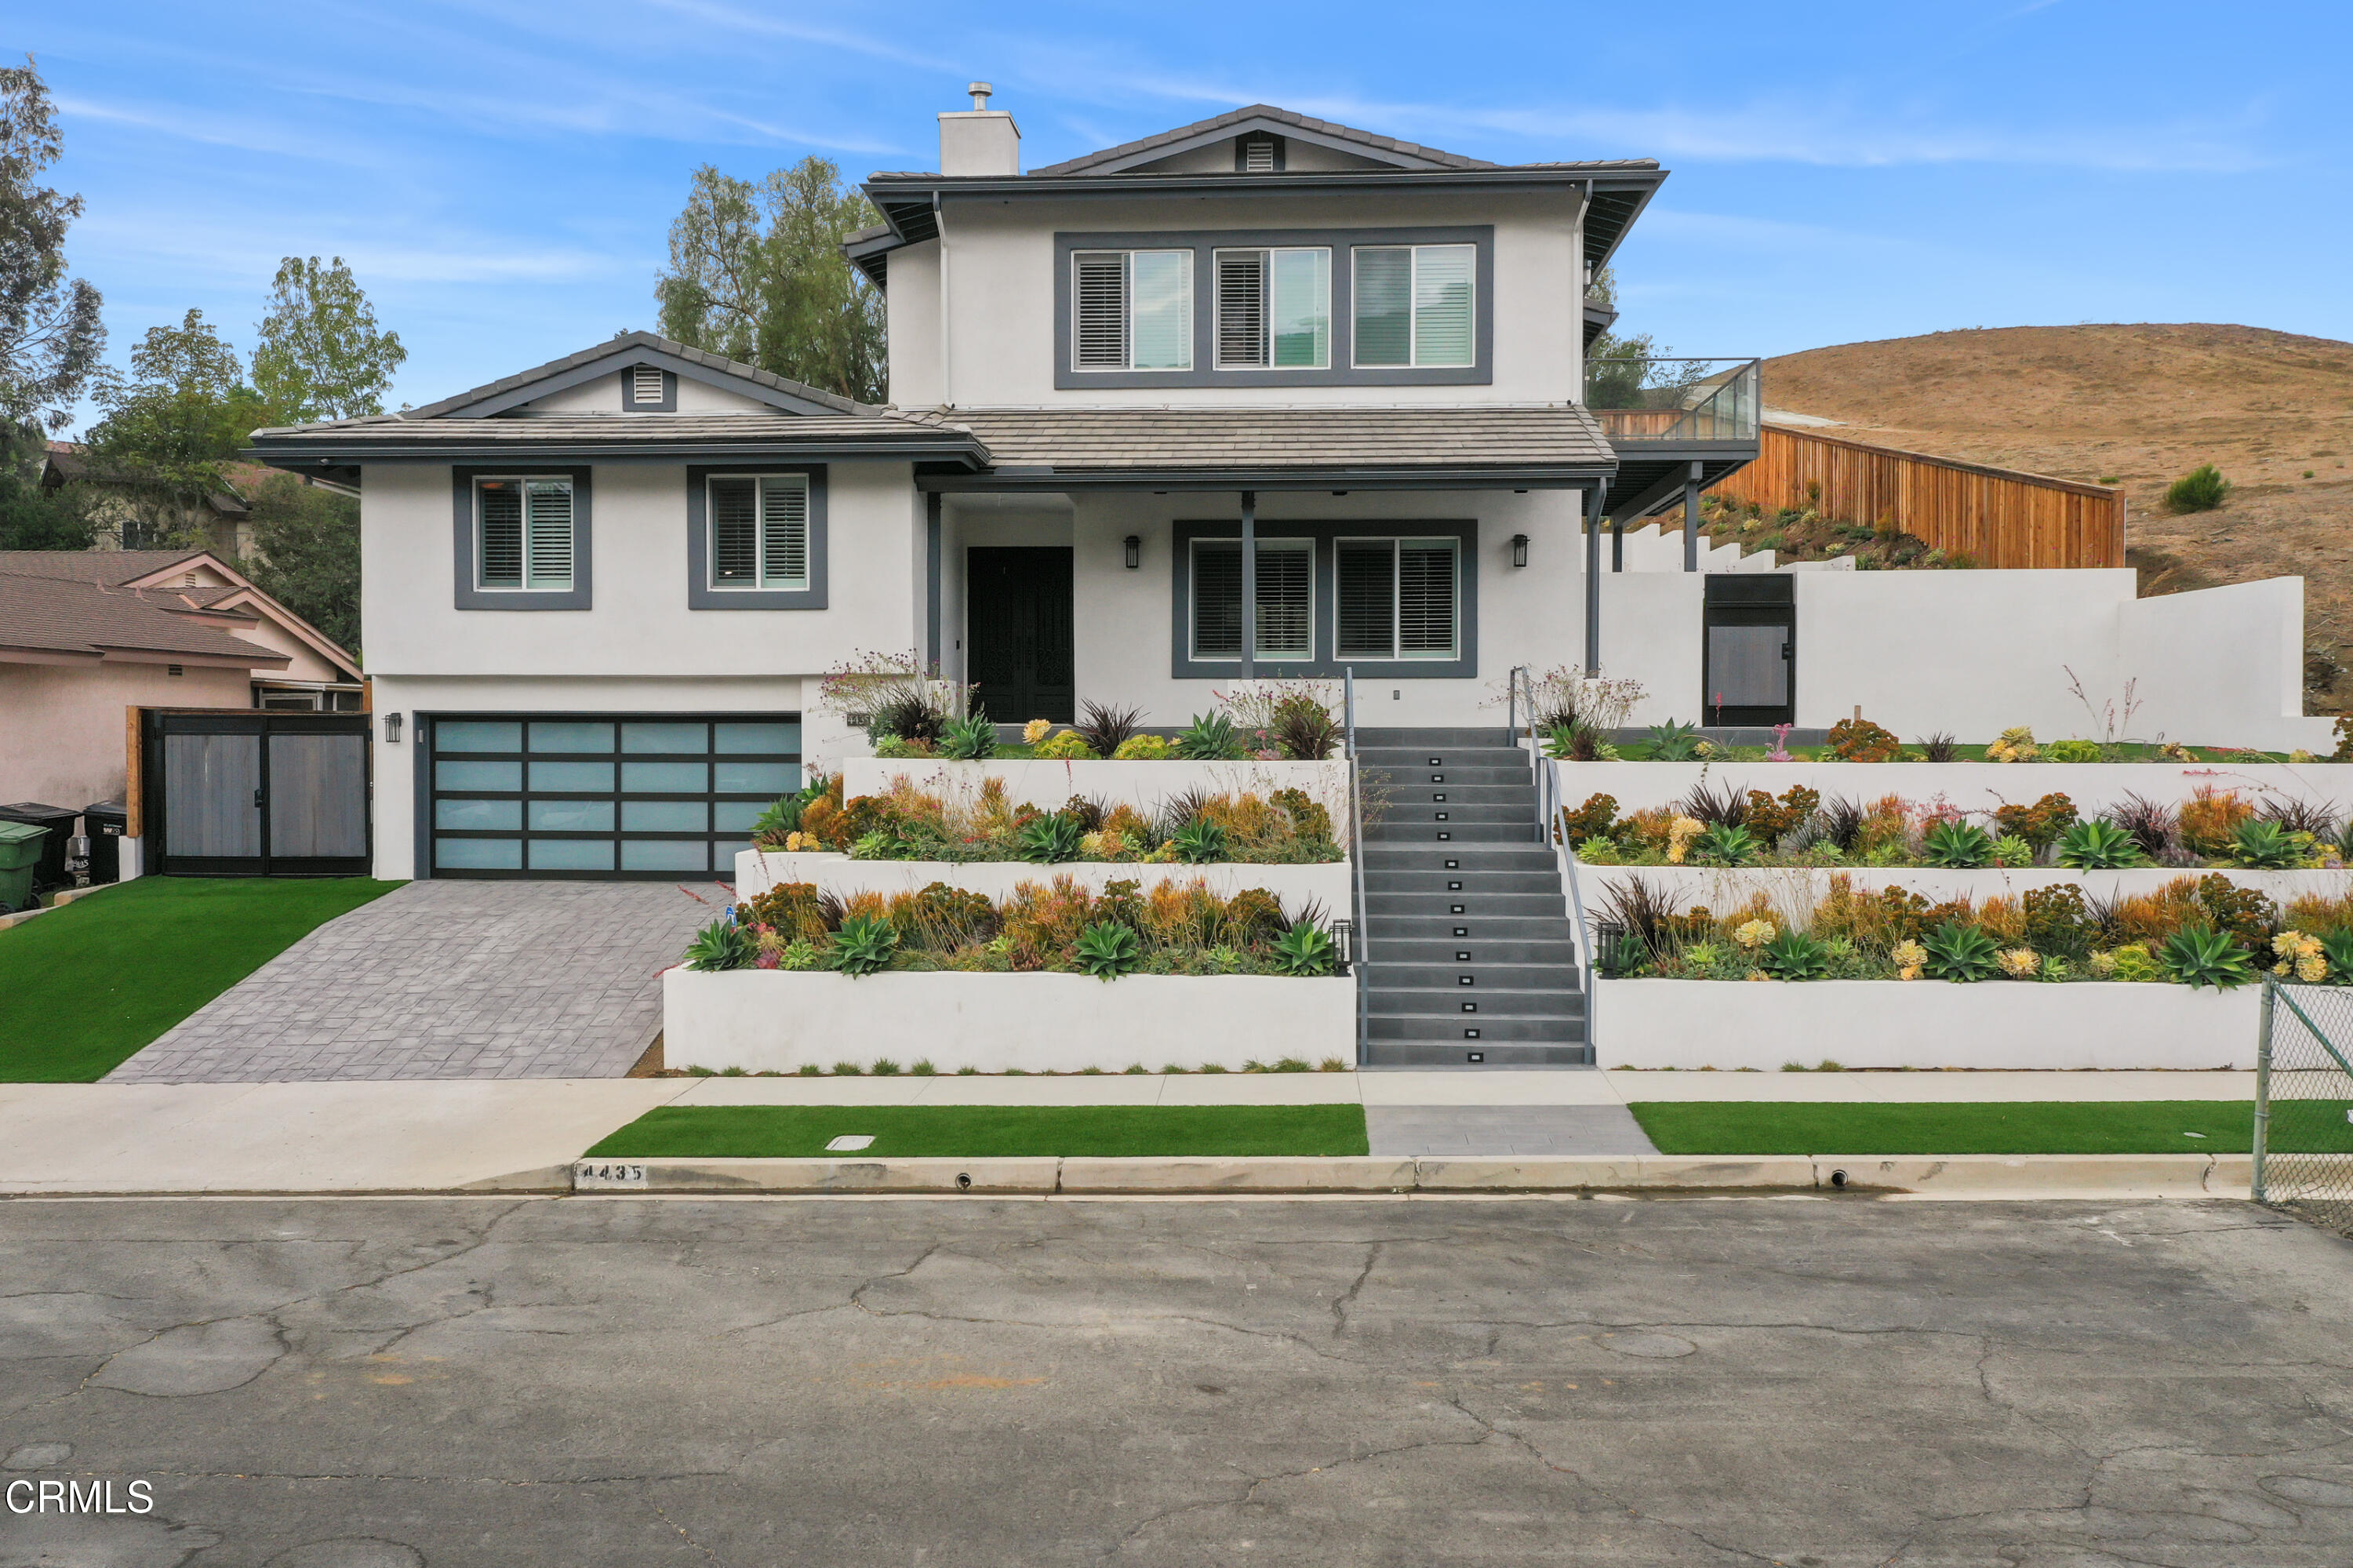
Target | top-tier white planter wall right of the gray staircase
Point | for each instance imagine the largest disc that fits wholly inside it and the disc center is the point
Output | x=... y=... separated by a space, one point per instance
x=1971 y=788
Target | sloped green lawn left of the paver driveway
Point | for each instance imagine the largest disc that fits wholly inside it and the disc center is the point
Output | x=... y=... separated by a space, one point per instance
x=88 y=985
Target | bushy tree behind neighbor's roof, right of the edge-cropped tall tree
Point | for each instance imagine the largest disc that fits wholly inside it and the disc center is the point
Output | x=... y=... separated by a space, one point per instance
x=178 y=423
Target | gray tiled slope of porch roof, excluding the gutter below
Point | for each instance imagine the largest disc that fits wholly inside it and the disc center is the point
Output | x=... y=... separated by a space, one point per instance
x=1309 y=439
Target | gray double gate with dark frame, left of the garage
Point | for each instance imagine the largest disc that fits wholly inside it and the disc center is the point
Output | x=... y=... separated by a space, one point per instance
x=258 y=795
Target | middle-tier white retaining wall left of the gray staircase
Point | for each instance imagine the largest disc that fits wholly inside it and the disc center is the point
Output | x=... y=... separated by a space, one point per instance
x=761 y=870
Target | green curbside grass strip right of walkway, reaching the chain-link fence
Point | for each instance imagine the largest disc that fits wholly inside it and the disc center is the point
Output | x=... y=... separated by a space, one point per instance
x=2102 y=1127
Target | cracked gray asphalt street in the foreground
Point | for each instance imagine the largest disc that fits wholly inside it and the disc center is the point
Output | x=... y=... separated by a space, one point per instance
x=620 y=1381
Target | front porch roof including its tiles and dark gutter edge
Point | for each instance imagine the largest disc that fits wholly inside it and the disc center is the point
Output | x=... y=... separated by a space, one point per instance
x=1284 y=449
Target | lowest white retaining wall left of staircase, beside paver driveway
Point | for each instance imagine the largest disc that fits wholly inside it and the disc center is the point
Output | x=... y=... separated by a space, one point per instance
x=773 y=1021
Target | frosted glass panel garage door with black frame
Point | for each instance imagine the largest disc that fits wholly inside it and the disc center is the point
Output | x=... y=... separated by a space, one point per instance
x=604 y=795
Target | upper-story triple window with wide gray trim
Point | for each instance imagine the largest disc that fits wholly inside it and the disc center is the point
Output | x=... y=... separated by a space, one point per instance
x=1437 y=312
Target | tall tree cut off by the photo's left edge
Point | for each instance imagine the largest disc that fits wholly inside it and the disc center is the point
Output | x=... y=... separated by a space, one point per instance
x=51 y=331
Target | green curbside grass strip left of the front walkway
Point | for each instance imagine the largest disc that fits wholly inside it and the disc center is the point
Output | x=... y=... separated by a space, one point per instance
x=978 y=1131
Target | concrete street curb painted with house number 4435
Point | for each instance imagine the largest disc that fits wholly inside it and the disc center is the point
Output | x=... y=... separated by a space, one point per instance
x=1959 y=1176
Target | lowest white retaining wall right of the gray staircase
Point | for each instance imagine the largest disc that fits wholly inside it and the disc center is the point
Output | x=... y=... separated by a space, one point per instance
x=1924 y=1023
